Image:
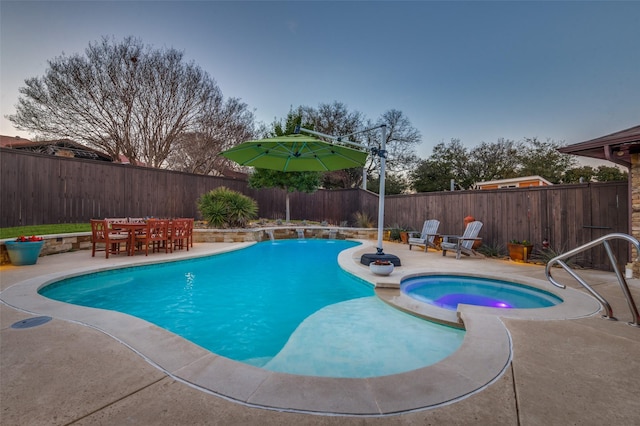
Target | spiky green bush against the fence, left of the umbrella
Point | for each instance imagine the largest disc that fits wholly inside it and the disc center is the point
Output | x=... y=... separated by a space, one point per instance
x=224 y=208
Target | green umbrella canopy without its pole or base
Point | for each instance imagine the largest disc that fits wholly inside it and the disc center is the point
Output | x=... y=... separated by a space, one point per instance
x=295 y=153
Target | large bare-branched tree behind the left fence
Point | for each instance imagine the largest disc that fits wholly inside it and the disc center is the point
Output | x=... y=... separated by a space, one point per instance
x=122 y=98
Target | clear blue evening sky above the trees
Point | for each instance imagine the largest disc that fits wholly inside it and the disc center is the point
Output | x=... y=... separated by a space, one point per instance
x=477 y=71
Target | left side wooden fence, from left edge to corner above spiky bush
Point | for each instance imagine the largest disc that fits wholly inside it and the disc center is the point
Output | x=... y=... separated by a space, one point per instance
x=40 y=189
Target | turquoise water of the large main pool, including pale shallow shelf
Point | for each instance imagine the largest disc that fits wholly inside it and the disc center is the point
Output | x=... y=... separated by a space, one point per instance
x=284 y=306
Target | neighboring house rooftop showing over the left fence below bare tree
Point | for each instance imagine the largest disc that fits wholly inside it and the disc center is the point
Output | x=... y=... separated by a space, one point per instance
x=54 y=147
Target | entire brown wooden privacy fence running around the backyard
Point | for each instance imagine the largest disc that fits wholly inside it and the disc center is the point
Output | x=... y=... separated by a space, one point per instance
x=41 y=189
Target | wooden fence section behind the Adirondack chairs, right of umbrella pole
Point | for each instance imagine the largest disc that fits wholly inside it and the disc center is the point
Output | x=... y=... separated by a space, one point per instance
x=566 y=215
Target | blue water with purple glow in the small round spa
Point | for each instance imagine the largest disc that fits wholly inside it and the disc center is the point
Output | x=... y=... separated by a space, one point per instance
x=447 y=291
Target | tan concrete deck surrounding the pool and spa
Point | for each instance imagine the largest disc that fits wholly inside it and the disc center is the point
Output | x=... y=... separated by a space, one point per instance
x=561 y=371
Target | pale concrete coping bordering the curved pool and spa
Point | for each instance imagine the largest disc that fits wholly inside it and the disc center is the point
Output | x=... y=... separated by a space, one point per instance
x=487 y=343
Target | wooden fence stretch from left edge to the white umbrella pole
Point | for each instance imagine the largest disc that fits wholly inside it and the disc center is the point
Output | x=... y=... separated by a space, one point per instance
x=40 y=189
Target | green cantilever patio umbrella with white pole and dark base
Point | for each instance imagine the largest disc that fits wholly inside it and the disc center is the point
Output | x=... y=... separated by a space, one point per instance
x=297 y=153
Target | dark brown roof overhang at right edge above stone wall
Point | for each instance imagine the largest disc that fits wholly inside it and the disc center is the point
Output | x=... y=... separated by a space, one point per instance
x=616 y=147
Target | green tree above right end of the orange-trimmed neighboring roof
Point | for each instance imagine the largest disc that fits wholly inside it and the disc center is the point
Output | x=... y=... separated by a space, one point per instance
x=543 y=159
